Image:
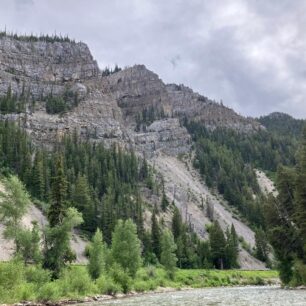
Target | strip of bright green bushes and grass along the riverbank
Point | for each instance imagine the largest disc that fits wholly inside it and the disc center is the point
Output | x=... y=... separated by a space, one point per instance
x=20 y=283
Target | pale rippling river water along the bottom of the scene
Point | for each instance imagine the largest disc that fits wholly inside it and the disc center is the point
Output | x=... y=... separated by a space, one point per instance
x=235 y=296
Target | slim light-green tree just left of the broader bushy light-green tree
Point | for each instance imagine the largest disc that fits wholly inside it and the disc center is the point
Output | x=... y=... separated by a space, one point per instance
x=96 y=265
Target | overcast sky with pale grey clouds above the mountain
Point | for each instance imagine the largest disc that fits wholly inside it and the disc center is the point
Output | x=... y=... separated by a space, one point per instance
x=251 y=54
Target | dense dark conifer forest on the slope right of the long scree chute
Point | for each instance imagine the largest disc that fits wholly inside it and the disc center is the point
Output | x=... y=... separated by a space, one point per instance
x=226 y=159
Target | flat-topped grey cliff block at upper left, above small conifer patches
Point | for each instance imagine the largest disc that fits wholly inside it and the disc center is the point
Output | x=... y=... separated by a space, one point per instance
x=43 y=67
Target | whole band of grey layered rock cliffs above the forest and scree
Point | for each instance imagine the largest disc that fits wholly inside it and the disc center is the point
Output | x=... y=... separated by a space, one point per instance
x=112 y=108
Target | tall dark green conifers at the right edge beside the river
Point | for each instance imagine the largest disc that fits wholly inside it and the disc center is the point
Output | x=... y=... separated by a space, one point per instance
x=286 y=220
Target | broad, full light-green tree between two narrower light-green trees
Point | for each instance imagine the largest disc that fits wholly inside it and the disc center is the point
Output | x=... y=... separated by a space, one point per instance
x=125 y=249
